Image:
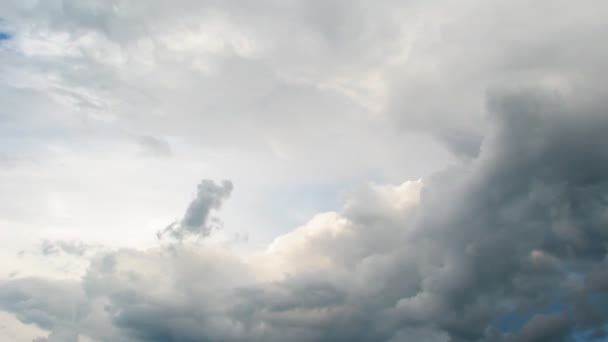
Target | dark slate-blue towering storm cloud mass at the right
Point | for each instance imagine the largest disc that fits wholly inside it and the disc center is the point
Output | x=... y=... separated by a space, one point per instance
x=528 y=214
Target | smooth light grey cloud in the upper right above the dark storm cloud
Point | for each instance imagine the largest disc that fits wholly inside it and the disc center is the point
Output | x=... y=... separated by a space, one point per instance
x=437 y=90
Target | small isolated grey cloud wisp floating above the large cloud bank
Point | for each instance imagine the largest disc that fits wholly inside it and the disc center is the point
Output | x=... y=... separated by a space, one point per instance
x=198 y=220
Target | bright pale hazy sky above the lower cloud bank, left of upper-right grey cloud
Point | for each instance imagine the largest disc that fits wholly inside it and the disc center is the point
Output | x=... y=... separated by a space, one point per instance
x=112 y=112
